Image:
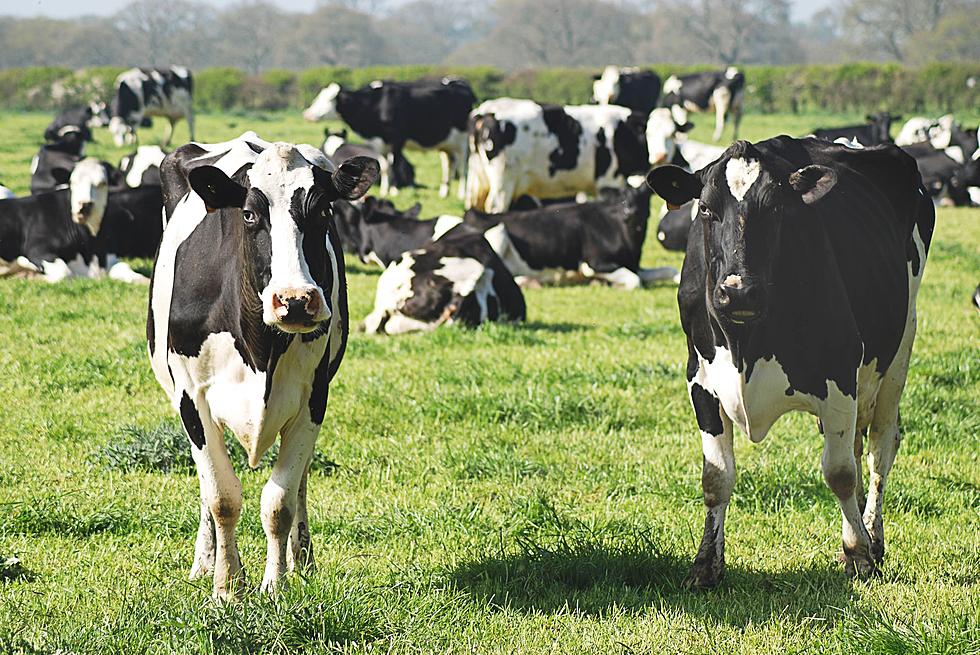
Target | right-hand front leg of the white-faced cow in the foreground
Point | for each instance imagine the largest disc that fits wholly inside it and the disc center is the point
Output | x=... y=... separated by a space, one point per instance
x=280 y=494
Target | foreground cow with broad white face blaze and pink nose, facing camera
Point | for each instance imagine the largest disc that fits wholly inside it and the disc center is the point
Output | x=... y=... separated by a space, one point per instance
x=246 y=328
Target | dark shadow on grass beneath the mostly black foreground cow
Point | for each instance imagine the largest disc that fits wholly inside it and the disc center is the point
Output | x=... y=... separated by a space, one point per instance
x=601 y=580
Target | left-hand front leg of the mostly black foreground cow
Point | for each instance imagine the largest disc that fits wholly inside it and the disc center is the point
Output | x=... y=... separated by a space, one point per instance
x=717 y=482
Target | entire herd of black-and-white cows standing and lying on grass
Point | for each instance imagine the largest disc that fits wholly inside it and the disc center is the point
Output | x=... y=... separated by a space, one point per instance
x=803 y=260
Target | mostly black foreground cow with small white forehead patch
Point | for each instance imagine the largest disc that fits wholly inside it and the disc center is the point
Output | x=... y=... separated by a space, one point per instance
x=798 y=293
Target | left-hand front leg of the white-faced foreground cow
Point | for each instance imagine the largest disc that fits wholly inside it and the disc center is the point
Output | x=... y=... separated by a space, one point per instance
x=222 y=493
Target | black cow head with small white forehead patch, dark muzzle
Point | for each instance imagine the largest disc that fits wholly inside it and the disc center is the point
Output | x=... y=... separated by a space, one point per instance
x=742 y=203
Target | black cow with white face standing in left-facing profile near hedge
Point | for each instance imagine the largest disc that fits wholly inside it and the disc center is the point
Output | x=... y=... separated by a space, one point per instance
x=420 y=115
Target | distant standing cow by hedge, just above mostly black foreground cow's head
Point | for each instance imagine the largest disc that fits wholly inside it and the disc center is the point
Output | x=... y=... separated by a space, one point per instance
x=718 y=90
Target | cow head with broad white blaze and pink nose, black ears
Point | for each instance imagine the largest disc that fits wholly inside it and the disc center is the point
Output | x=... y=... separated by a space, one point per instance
x=283 y=205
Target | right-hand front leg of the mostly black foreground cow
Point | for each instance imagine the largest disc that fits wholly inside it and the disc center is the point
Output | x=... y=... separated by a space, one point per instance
x=840 y=473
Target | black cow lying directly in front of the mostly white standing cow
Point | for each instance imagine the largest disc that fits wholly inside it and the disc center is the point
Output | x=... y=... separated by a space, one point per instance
x=599 y=240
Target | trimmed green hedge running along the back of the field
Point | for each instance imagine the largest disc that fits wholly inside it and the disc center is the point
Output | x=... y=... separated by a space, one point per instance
x=858 y=87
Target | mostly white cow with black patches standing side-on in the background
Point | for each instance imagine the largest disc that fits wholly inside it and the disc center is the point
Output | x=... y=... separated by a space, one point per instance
x=521 y=147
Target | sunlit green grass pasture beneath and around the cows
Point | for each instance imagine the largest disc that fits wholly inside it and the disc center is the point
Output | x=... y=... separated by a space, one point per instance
x=510 y=489
